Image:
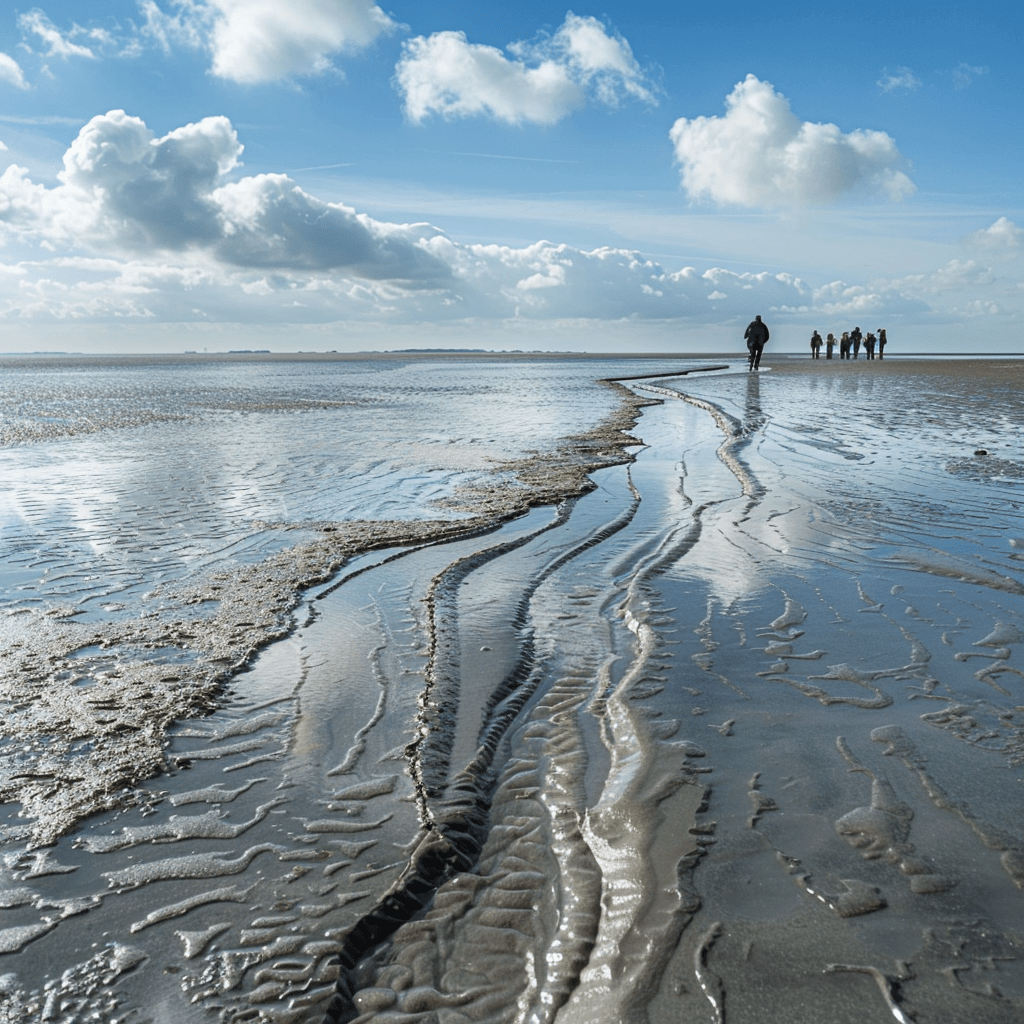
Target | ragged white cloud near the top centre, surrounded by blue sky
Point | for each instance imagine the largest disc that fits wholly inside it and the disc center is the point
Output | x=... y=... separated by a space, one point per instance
x=542 y=83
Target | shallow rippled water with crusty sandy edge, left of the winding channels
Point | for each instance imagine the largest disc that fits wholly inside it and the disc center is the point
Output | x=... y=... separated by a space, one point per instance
x=159 y=519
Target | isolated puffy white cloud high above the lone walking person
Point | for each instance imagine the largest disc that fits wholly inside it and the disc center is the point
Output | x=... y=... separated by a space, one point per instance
x=760 y=154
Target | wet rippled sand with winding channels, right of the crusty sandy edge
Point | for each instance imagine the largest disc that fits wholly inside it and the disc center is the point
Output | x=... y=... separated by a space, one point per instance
x=735 y=736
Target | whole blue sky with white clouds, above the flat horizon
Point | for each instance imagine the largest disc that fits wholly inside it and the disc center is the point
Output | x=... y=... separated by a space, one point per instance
x=332 y=175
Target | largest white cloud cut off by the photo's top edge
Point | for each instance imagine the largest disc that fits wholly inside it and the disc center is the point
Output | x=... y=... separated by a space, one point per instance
x=254 y=41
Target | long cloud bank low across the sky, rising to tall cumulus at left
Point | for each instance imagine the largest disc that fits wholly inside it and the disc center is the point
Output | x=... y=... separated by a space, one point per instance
x=167 y=230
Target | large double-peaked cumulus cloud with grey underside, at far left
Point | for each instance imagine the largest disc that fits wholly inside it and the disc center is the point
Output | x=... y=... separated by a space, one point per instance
x=122 y=189
